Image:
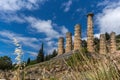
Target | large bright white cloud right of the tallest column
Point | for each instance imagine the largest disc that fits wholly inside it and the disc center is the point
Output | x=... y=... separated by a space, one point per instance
x=109 y=19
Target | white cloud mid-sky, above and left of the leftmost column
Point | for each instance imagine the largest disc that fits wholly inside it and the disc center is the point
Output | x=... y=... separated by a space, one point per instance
x=46 y=27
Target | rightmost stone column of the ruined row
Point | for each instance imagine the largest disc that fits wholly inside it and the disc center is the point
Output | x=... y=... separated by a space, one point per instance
x=112 y=42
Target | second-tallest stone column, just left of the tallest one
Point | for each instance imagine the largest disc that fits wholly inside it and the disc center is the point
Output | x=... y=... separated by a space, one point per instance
x=77 y=37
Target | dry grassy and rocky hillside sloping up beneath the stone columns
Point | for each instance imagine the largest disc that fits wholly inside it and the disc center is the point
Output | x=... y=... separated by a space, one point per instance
x=77 y=66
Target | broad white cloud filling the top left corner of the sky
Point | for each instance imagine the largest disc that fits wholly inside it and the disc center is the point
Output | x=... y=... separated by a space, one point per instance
x=10 y=10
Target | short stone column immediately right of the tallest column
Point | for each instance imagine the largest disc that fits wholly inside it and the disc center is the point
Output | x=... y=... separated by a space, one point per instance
x=103 y=47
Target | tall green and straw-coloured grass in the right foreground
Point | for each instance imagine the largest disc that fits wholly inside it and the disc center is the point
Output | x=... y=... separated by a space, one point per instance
x=90 y=68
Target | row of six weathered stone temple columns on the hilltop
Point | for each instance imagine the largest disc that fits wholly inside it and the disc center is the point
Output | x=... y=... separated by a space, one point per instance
x=77 y=44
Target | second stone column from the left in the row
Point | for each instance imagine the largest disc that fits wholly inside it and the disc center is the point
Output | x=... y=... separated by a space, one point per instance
x=68 y=42
